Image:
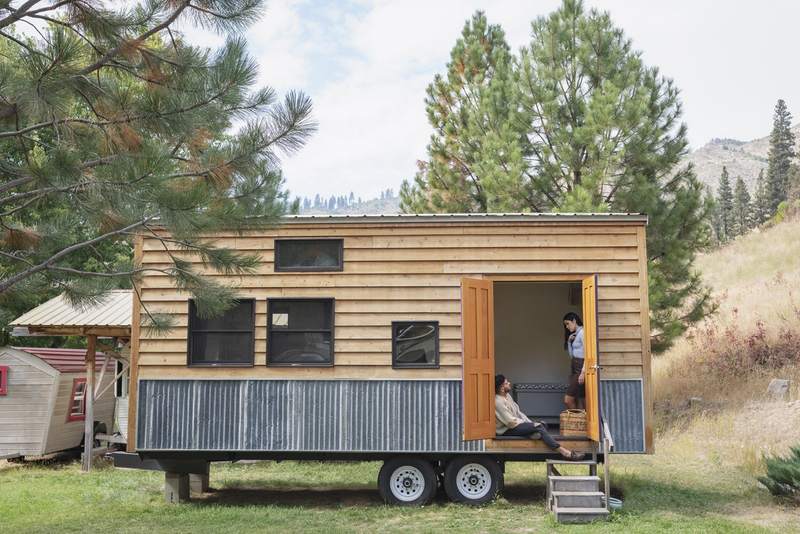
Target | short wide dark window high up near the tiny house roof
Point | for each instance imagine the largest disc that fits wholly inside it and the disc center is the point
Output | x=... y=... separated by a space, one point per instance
x=308 y=255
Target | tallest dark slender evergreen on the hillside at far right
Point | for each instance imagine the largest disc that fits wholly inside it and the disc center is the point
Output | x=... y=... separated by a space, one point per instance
x=781 y=153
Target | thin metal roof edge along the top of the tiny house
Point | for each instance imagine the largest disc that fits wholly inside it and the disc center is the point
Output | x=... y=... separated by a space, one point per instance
x=466 y=217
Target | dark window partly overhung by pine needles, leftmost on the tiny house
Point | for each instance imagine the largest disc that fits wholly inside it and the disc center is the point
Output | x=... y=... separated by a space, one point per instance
x=224 y=340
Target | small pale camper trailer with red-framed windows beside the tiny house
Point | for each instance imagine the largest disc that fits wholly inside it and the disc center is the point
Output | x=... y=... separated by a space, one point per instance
x=43 y=400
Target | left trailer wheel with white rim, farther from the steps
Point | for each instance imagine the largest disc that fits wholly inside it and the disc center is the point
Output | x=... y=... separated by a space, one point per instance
x=407 y=481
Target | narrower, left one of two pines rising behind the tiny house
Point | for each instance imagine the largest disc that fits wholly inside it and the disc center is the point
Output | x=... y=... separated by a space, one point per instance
x=474 y=155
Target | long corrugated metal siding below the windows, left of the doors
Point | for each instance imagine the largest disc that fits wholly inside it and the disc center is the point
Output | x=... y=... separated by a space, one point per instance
x=302 y=415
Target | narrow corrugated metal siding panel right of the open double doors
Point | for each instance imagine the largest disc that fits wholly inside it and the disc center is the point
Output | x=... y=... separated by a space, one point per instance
x=622 y=405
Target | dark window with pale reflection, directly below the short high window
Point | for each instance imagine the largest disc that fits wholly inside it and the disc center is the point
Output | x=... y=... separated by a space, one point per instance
x=300 y=332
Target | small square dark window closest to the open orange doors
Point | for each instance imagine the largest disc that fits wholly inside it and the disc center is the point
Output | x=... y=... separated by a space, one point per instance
x=415 y=344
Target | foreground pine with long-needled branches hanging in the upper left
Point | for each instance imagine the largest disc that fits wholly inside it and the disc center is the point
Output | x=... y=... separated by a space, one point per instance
x=128 y=130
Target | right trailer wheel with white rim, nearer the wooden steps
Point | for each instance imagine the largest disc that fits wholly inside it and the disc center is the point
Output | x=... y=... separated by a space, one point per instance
x=473 y=480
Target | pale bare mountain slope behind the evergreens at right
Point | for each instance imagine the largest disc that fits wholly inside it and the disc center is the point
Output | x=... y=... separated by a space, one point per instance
x=742 y=158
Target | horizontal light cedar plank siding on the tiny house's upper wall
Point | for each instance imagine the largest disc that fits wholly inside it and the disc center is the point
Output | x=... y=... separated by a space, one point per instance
x=405 y=272
